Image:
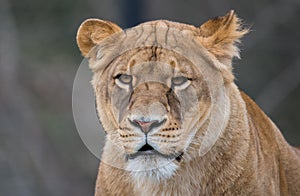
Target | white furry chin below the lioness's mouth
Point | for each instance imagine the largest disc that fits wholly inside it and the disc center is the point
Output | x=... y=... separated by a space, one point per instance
x=153 y=168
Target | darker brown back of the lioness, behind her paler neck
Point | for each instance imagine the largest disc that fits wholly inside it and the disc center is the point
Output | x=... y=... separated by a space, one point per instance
x=272 y=150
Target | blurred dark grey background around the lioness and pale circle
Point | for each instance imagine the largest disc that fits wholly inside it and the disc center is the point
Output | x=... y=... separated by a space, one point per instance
x=41 y=152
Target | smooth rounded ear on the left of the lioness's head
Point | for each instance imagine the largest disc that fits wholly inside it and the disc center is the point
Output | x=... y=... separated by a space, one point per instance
x=92 y=31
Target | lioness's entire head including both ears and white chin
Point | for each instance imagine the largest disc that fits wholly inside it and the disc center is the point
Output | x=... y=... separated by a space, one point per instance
x=157 y=86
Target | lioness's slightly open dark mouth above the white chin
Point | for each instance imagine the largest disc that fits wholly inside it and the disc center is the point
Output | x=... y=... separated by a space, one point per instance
x=148 y=150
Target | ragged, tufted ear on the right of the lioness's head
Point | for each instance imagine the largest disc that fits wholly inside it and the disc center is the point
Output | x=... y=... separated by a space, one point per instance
x=220 y=36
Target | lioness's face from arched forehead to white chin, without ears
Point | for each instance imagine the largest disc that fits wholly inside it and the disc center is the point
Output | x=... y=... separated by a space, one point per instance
x=154 y=96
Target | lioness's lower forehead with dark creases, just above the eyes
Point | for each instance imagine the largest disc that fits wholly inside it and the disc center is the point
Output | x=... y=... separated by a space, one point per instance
x=153 y=61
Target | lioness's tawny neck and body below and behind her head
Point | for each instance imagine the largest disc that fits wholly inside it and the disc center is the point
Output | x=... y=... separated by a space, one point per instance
x=255 y=160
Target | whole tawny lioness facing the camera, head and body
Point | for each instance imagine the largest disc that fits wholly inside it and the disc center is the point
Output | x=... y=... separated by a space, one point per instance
x=176 y=123
